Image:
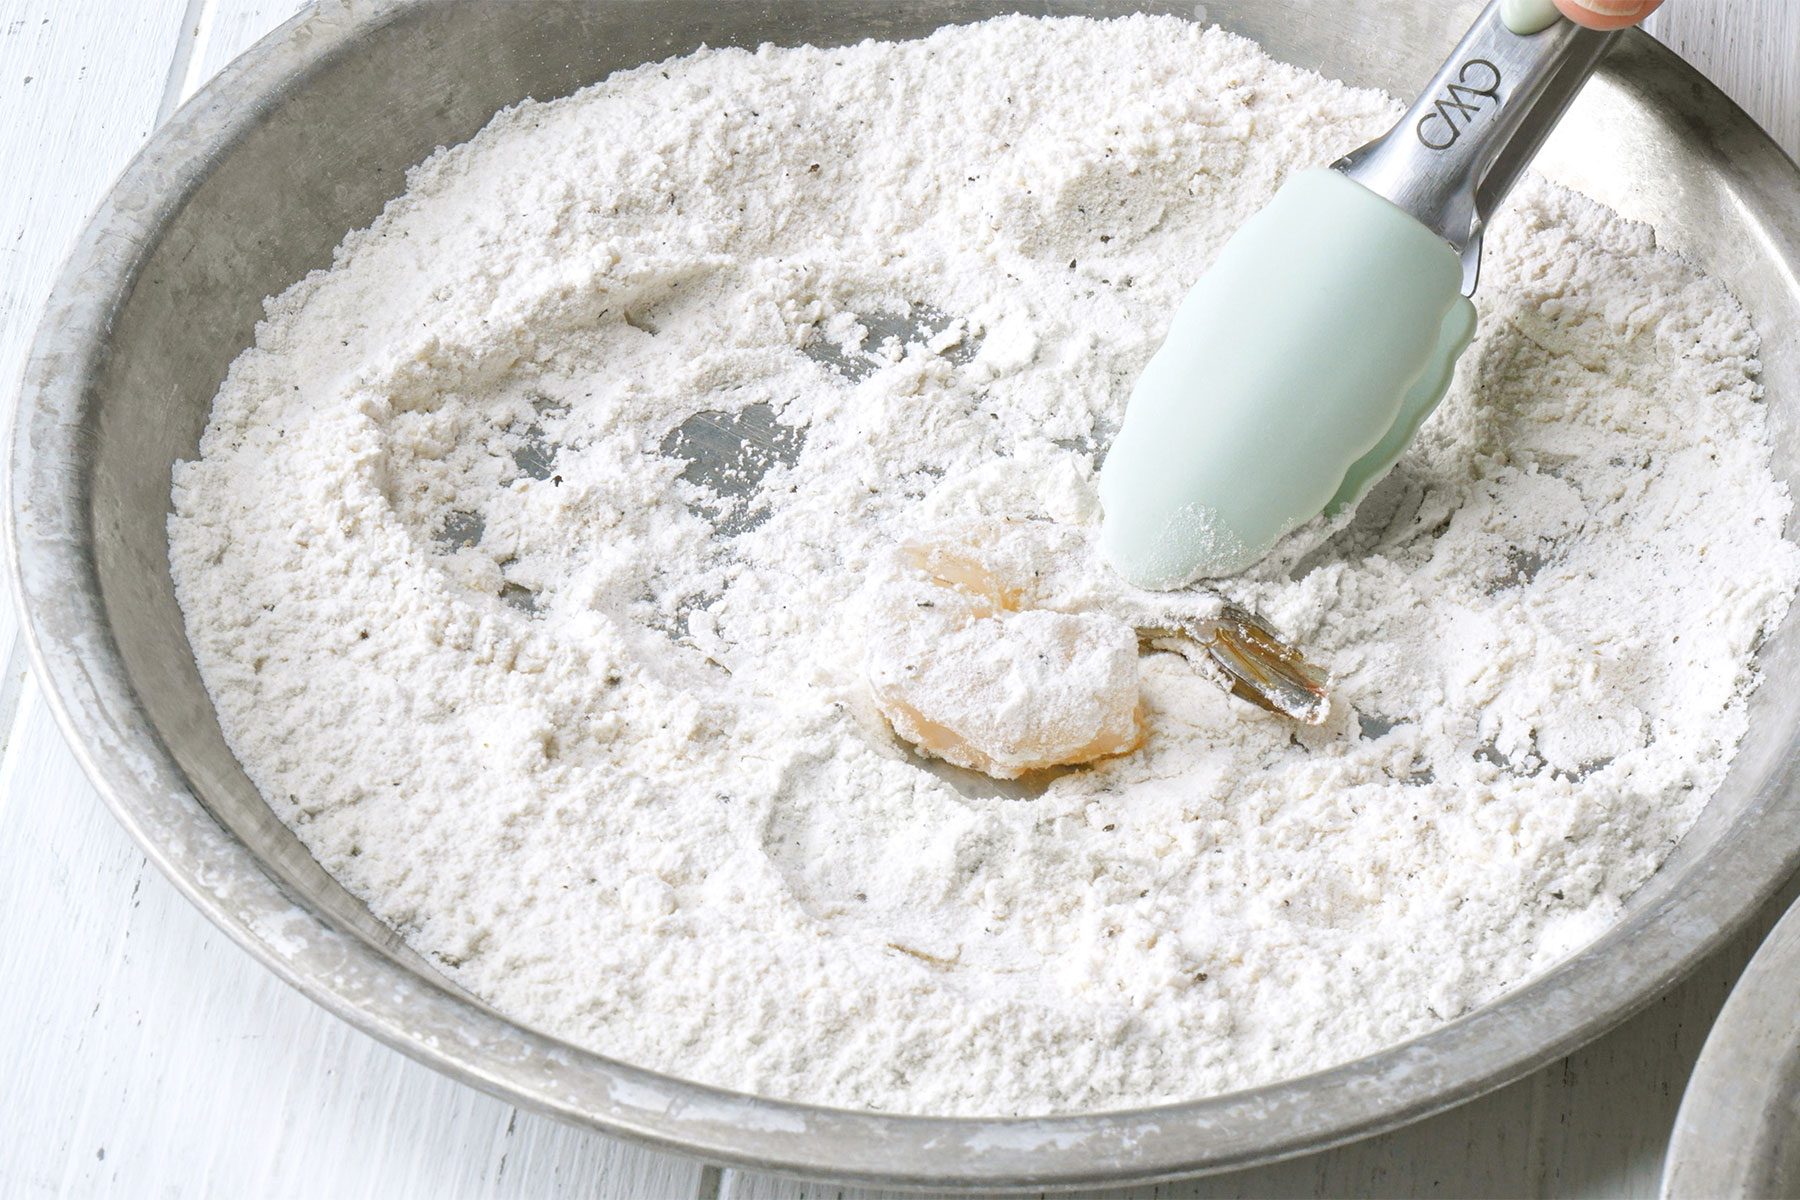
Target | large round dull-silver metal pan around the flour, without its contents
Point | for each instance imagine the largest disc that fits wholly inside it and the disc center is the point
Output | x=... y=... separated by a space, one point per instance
x=303 y=139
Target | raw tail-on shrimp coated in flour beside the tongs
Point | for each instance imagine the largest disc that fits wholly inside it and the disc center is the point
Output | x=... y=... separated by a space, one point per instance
x=1003 y=647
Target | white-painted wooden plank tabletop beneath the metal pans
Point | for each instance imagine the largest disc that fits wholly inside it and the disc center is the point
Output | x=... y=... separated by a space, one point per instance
x=143 y=1055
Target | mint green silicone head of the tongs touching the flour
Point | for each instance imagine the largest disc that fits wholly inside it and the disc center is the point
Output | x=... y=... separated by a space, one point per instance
x=1293 y=377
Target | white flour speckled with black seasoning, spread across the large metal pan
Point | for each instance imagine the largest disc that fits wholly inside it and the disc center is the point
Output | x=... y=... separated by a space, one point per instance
x=1542 y=625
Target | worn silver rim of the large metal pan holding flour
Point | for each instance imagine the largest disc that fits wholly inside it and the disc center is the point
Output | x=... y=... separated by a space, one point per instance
x=84 y=679
